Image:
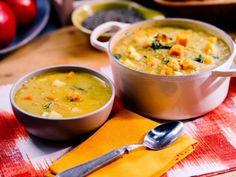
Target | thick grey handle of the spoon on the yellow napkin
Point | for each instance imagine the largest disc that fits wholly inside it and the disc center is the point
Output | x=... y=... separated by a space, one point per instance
x=88 y=167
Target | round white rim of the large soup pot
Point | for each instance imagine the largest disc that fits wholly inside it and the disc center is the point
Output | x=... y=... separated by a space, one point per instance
x=223 y=35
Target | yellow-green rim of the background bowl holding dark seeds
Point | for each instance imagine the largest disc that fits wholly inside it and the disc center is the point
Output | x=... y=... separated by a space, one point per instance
x=78 y=10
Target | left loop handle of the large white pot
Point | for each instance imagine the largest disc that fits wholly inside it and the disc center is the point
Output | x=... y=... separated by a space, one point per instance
x=101 y=29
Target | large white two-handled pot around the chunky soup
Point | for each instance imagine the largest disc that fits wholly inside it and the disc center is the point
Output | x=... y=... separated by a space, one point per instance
x=168 y=97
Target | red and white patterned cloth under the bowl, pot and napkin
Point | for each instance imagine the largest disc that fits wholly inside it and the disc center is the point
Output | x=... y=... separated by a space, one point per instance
x=22 y=155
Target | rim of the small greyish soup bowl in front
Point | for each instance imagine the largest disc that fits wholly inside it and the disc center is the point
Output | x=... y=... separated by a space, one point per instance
x=30 y=75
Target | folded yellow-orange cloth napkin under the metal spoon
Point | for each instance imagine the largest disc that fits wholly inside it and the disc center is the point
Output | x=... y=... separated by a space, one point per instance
x=126 y=128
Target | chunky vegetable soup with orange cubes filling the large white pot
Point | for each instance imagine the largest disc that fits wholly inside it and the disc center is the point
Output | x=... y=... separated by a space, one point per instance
x=170 y=50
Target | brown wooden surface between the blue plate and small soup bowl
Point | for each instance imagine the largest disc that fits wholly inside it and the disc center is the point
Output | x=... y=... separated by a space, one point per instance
x=65 y=46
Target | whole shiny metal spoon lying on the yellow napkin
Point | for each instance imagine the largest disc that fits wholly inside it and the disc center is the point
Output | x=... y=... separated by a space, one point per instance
x=156 y=139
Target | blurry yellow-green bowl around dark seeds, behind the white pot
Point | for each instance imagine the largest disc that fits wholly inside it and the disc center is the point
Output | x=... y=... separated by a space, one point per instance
x=84 y=11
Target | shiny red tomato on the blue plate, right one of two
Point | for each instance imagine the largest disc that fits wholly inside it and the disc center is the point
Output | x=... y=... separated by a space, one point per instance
x=25 y=11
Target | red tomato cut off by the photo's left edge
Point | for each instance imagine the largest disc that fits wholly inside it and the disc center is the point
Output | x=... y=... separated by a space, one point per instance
x=7 y=25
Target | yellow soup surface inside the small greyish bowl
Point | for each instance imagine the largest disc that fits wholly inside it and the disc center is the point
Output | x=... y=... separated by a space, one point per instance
x=61 y=95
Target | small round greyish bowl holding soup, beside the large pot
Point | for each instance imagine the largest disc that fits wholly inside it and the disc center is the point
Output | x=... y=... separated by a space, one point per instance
x=61 y=128
